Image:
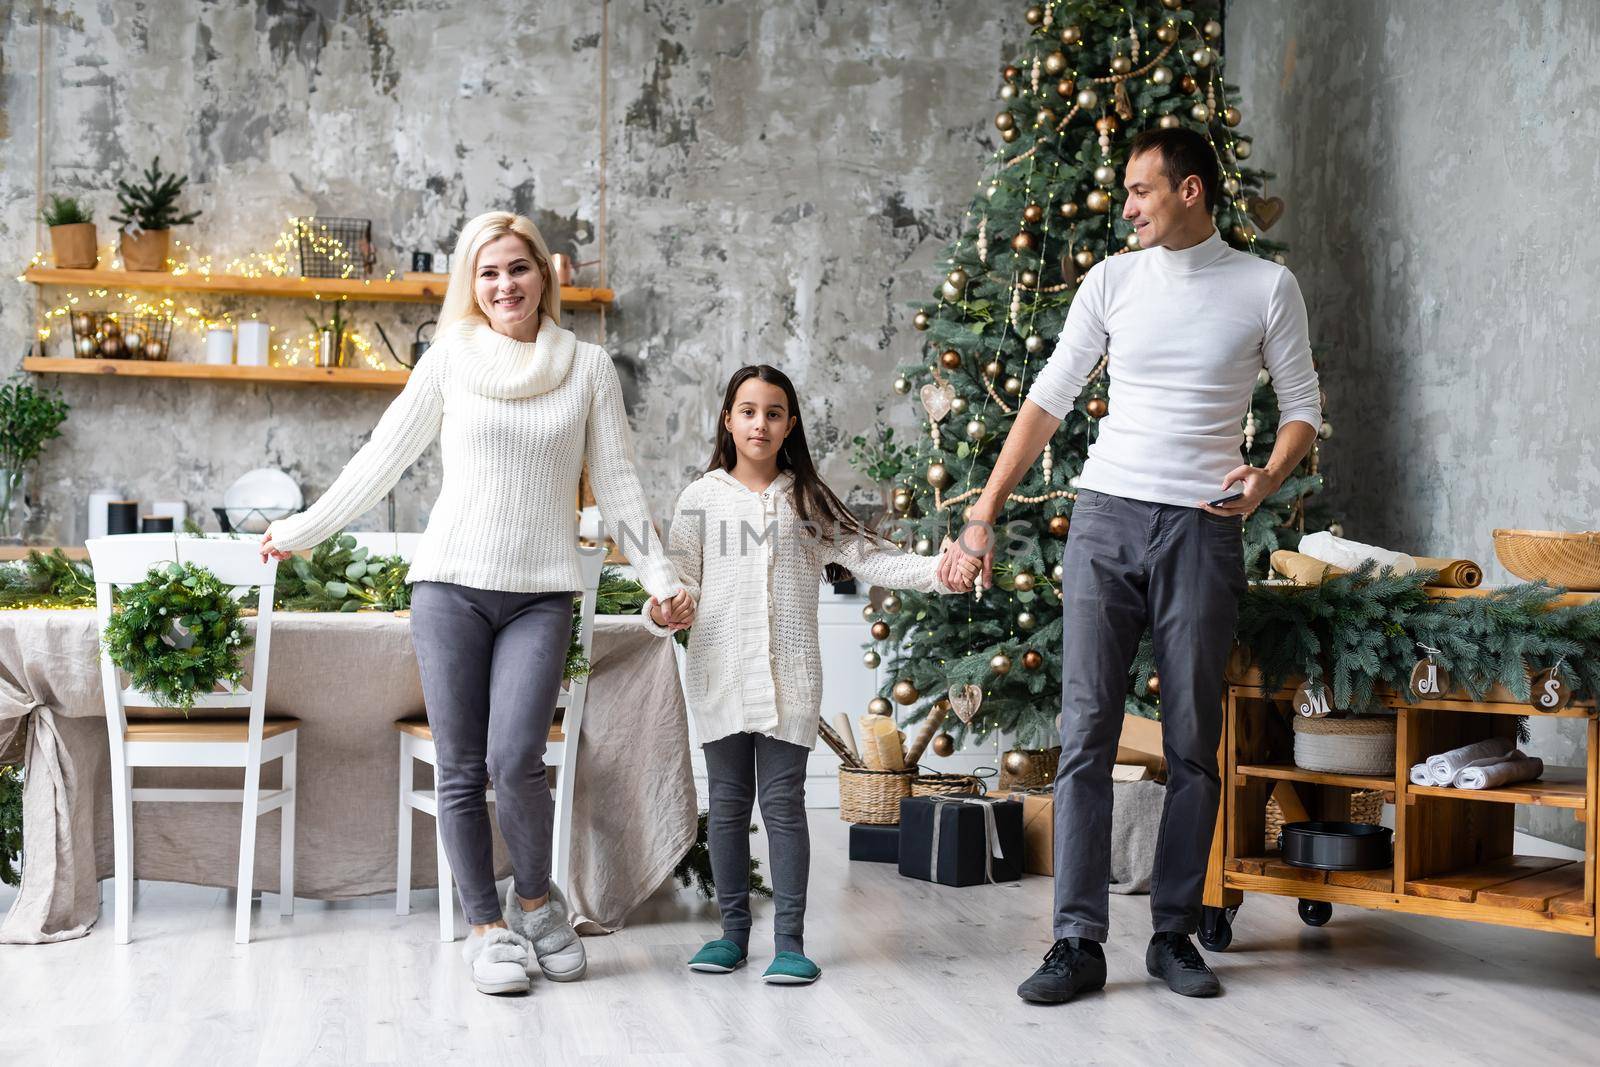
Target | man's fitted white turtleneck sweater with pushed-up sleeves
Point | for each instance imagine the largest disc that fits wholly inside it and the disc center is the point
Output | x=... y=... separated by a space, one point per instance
x=1186 y=335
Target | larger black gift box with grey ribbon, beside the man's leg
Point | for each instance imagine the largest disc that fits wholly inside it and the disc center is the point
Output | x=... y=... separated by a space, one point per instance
x=961 y=841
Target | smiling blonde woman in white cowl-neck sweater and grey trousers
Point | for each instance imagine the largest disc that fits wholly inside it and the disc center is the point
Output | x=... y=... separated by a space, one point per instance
x=521 y=407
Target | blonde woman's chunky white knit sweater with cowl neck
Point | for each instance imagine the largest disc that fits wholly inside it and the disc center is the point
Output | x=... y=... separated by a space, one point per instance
x=518 y=423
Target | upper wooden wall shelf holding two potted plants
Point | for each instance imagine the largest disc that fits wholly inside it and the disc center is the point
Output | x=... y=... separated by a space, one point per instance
x=396 y=290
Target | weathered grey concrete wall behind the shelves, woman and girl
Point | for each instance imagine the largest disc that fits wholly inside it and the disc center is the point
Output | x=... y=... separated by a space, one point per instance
x=780 y=180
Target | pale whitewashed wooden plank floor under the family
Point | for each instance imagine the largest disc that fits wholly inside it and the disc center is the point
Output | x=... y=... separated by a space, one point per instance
x=913 y=973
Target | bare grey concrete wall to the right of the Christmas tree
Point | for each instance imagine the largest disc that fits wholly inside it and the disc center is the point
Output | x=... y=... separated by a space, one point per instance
x=1439 y=162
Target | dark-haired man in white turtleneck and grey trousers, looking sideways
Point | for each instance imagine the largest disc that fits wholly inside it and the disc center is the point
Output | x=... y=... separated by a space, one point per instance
x=1156 y=540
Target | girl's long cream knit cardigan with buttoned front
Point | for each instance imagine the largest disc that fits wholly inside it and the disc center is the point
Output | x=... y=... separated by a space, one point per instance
x=753 y=658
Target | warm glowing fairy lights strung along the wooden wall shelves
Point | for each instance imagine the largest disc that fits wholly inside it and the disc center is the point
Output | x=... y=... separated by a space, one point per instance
x=281 y=260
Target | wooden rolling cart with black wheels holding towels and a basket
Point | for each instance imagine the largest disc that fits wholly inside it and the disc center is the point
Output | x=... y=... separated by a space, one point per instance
x=1454 y=850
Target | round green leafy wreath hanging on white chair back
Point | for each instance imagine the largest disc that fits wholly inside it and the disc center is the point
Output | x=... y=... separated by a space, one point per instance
x=178 y=634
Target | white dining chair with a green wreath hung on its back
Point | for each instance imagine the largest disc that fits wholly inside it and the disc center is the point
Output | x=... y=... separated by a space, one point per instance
x=198 y=740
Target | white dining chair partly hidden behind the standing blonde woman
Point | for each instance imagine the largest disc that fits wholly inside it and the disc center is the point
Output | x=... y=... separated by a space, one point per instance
x=417 y=743
